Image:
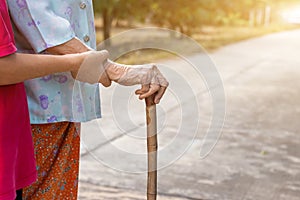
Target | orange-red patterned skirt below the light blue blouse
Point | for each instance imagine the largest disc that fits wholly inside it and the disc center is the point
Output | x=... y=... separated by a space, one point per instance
x=56 y=148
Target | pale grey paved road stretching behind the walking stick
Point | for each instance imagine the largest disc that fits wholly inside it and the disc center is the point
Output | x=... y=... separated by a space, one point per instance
x=257 y=156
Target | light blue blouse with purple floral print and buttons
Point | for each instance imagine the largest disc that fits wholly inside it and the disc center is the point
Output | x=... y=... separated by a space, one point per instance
x=57 y=97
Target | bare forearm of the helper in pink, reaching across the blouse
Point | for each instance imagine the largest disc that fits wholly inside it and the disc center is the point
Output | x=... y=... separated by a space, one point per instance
x=17 y=67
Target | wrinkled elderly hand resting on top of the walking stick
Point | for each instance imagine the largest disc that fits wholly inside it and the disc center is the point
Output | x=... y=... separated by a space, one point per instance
x=148 y=75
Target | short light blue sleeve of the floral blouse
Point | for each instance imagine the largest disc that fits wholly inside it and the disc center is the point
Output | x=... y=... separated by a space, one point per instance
x=39 y=24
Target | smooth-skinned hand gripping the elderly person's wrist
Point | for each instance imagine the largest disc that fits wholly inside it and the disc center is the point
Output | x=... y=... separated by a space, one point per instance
x=92 y=68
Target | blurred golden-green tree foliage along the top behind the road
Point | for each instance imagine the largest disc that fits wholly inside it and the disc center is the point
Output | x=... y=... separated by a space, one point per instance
x=188 y=16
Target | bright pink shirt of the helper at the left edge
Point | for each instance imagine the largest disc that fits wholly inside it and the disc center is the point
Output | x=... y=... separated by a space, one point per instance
x=17 y=163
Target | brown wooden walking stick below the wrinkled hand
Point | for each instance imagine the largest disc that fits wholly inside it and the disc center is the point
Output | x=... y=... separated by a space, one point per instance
x=152 y=148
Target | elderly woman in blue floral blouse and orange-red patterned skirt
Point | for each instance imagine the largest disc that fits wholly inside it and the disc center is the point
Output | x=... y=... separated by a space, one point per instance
x=66 y=27
